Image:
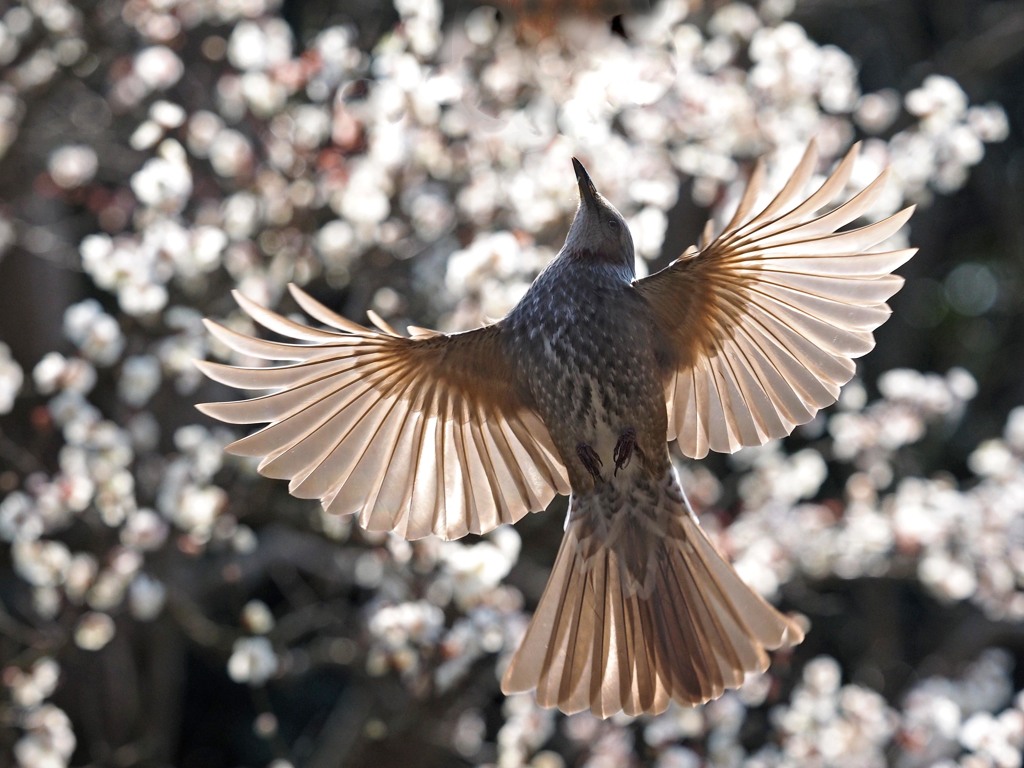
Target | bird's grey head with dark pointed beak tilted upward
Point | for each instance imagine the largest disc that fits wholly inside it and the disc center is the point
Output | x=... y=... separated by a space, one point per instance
x=599 y=234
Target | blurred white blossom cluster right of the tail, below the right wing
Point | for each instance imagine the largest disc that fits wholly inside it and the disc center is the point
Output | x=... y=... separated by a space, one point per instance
x=962 y=541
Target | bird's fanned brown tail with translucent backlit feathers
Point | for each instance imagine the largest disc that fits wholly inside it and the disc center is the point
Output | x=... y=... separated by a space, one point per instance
x=641 y=609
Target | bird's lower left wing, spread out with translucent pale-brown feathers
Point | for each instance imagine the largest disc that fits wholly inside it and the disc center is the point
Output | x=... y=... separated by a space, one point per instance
x=417 y=436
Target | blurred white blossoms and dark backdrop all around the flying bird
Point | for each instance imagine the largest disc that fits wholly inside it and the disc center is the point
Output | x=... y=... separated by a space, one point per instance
x=161 y=605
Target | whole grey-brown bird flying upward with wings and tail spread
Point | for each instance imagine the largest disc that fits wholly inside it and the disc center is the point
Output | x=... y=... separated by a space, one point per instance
x=580 y=390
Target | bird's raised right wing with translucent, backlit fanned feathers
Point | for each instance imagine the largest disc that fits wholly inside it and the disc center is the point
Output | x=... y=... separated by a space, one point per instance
x=763 y=322
